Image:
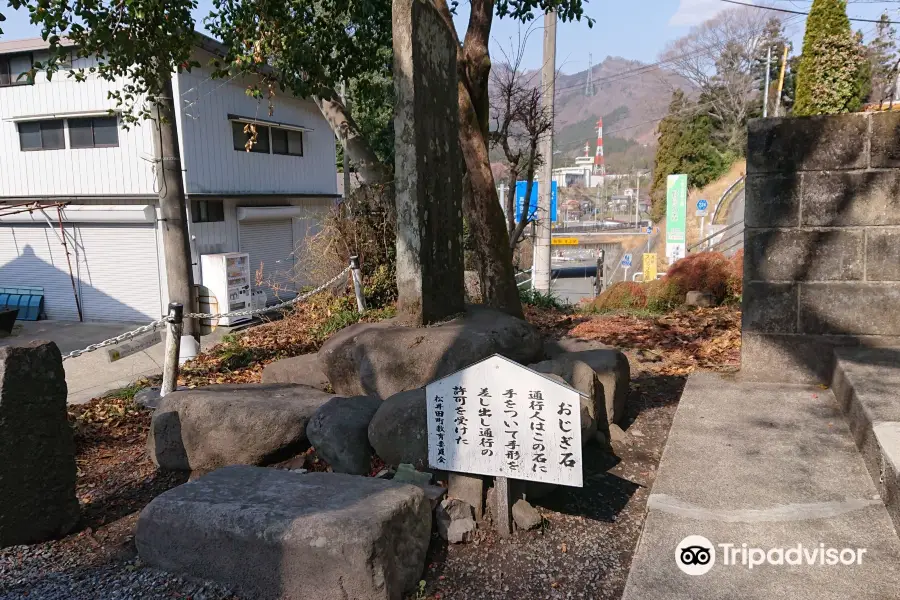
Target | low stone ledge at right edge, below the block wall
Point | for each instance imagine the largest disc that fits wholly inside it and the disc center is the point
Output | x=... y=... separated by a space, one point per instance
x=866 y=383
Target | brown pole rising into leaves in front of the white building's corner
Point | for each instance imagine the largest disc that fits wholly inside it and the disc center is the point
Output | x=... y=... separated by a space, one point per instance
x=179 y=271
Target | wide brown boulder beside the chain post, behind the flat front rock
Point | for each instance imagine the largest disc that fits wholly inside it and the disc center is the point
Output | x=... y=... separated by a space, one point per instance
x=251 y=424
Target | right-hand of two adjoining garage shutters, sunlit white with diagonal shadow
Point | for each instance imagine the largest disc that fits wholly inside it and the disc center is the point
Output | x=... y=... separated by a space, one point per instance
x=119 y=271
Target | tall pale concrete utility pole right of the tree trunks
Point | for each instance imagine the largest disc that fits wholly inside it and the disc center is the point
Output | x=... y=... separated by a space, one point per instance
x=540 y=274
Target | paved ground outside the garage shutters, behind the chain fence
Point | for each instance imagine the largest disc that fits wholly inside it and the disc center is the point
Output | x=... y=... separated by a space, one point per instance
x=92 y=375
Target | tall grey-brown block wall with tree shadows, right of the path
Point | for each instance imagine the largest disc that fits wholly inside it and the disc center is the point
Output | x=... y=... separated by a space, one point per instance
x=821 y=242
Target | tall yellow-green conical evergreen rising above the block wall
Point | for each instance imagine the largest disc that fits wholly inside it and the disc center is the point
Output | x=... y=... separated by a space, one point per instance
x=832 y=66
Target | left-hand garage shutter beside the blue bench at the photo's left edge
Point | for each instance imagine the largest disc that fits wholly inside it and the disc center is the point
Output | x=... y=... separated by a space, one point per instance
x=33 y=255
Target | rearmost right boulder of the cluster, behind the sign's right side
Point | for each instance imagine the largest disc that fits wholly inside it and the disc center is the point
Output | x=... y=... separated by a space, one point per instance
x=612 y=370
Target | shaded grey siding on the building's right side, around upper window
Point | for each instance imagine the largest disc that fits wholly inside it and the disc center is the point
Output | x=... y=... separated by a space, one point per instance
x=214 y=166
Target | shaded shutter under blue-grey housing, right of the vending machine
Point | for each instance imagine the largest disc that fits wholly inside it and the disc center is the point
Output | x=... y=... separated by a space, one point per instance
x=270 y=245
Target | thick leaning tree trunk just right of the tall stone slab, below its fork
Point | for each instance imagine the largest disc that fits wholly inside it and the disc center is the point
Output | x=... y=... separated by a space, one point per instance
x=485 y=218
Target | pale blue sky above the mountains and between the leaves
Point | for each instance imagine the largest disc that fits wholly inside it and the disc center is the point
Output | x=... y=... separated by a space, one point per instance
x=635 y=29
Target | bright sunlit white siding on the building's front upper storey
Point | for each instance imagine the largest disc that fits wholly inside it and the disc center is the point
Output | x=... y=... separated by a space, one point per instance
x=94 y=171
